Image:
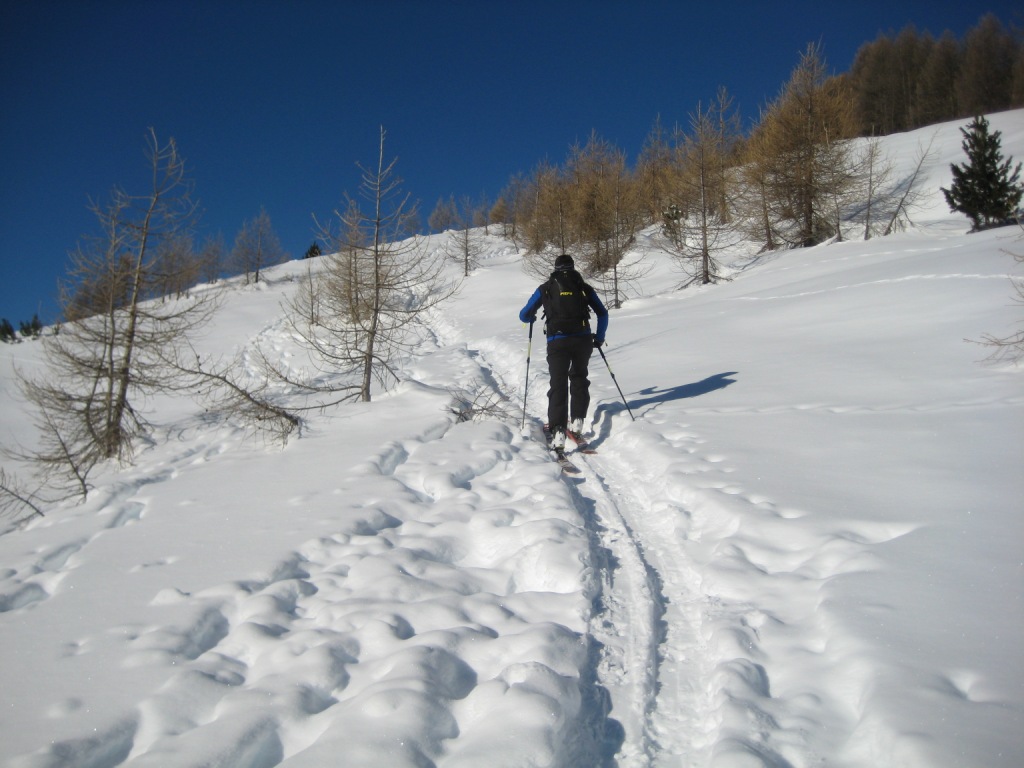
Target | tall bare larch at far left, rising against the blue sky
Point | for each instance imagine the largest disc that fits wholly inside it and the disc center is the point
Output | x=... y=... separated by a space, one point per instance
x=115 y=345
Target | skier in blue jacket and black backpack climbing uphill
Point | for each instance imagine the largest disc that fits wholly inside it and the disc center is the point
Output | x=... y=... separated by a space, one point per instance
x=568 y=301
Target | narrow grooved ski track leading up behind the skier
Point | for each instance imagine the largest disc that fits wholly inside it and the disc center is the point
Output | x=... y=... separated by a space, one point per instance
x=642 y=619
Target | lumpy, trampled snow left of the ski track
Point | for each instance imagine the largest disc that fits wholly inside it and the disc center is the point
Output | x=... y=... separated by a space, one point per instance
x=446 y=607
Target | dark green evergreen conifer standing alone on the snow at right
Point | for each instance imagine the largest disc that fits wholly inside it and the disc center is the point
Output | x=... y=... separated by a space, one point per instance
x=986 y=189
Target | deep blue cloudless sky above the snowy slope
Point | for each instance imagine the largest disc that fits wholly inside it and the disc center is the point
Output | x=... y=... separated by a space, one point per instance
x=274 y=103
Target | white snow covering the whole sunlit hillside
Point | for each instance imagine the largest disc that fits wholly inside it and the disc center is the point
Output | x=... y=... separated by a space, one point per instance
x=806 y=550
